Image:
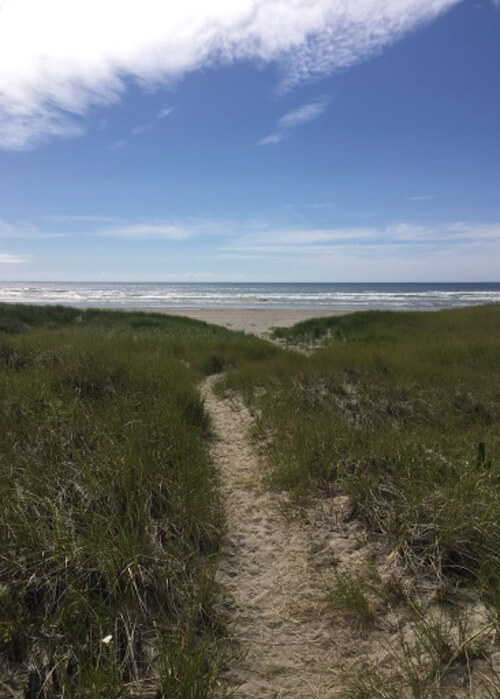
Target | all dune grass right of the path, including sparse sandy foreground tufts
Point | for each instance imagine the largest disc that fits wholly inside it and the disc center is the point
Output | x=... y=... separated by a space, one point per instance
x=401 y=412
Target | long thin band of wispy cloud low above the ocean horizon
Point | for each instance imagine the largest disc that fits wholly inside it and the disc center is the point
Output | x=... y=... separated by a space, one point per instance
x=240 y=236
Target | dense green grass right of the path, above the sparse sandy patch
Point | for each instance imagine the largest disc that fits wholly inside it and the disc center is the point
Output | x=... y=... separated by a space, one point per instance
x=401 y=412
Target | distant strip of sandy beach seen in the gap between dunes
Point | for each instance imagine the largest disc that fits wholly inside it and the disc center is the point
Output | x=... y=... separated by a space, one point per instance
x=257 y=321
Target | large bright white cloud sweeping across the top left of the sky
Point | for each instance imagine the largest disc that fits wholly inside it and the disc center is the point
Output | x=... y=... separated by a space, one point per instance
x=58 y=58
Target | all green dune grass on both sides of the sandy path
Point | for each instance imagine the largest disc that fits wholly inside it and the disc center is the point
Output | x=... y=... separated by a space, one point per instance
x=111 y=516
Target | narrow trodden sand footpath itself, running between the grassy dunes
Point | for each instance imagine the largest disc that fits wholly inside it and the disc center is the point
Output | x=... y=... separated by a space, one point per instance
x=273 y=594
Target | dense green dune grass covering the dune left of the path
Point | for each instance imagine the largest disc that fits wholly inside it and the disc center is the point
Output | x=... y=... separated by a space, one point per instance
x=111 y=516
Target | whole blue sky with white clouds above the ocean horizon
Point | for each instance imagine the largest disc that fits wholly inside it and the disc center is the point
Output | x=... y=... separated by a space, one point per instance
x=250 y=140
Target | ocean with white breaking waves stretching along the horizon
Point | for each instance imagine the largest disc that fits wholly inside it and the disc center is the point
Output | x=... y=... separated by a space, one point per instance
x=357 y=296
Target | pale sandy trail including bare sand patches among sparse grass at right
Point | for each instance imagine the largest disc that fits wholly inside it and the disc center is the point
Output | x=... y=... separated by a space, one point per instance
x=274 y=572
